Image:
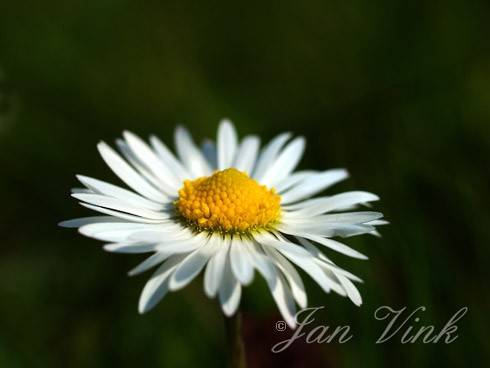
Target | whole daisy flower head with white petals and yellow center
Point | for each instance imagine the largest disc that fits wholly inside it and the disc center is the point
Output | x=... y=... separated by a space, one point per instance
x=228 y=208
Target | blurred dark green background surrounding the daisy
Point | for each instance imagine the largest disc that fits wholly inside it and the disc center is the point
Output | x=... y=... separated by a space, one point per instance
x=398 y=92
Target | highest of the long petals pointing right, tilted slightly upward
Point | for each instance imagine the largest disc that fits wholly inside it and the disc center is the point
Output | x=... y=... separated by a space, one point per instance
x=313 y=184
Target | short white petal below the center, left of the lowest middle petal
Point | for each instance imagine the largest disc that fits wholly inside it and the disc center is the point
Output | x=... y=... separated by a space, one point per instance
x=213 y=275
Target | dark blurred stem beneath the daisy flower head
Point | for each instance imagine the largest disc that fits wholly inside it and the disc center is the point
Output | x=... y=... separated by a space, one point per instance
x=236 y=346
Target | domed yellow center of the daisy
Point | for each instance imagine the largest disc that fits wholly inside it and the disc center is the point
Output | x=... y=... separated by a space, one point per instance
x=228 y=201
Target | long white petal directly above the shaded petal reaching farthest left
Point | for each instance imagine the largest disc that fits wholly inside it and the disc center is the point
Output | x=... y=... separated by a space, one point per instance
x=119 y=205
